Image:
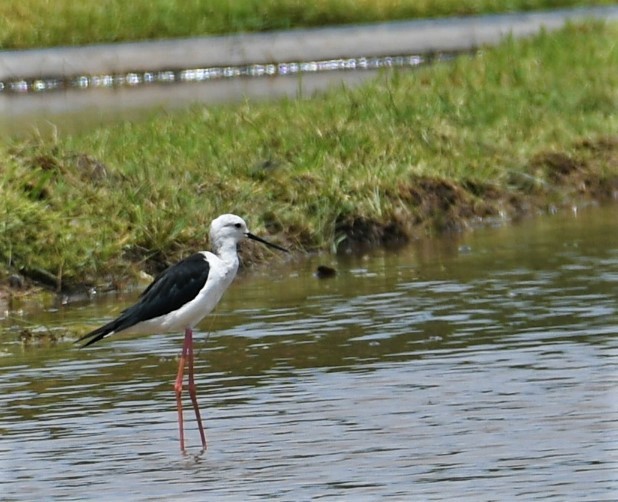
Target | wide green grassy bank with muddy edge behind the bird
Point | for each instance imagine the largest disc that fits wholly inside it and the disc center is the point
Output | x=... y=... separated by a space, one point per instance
x=523 y=125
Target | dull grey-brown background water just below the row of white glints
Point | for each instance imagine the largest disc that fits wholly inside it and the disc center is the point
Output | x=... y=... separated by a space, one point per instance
x=73 y=109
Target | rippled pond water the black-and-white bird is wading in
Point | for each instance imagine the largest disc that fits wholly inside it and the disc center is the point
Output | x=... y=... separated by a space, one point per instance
x=472 y=367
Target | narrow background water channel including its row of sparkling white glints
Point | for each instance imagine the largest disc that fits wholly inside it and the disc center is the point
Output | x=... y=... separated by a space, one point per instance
x=49 y=104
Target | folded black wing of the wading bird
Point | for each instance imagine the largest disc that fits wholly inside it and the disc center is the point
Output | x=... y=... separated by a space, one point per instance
x=174 y=287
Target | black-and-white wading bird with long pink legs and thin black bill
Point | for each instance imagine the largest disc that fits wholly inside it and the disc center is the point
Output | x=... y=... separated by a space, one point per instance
x=180 y=297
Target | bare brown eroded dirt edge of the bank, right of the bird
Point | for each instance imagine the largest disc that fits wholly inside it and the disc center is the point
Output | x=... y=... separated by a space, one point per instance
x=434 y=205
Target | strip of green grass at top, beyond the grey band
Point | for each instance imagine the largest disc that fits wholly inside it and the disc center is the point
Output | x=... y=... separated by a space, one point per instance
x=42 y=23
